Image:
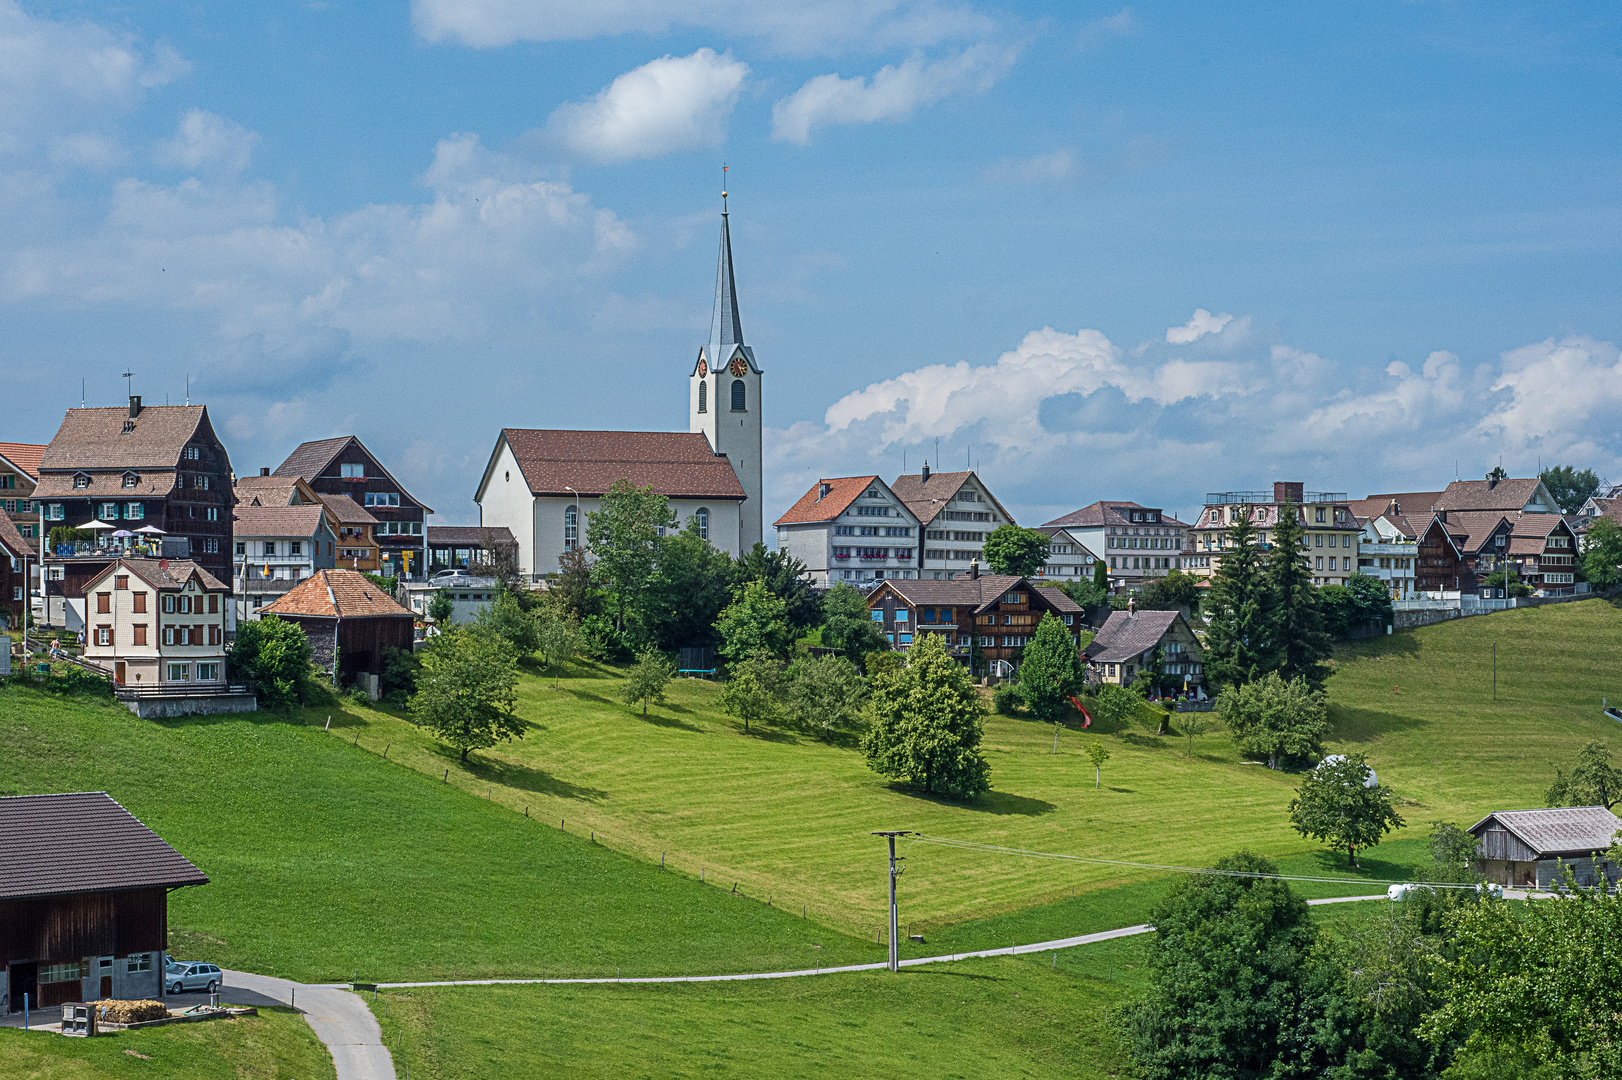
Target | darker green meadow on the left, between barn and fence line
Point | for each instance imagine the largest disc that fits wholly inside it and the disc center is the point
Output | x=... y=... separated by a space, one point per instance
x=327 y=862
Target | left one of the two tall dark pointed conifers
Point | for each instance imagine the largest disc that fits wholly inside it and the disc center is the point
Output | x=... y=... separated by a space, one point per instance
x=1238 y=648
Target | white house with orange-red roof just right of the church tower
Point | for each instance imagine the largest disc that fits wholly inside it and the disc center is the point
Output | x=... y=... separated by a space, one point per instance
x=851 y=529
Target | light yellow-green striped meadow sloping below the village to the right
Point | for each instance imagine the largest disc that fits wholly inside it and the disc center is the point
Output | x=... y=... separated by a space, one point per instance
x=789 y=816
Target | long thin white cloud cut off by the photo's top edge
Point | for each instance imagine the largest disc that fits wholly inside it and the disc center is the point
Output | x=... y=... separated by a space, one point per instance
x=799 y=27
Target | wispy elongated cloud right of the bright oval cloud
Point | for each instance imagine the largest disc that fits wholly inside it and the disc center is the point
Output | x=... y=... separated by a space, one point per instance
x=895 y=93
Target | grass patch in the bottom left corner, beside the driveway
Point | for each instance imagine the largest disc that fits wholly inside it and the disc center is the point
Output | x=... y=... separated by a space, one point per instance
x=275 y=1045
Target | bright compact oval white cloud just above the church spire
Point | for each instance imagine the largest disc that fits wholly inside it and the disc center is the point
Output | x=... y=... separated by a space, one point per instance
x=664 y=106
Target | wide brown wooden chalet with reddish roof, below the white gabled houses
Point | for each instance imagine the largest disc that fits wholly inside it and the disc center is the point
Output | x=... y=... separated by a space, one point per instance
x=993 y=615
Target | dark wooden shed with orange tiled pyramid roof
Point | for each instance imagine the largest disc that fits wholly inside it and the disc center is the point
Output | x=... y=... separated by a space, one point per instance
x=350 y=624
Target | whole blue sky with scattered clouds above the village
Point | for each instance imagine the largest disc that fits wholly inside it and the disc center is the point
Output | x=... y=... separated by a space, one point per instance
x=1096 y=251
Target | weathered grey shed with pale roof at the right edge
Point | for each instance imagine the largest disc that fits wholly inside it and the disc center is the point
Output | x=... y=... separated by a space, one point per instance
x=1527 y=849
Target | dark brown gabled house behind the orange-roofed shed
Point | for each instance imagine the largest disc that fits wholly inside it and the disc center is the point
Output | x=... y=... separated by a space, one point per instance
x=345 y=468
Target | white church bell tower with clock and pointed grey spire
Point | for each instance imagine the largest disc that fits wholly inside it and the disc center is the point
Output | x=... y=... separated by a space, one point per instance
x=724 y=395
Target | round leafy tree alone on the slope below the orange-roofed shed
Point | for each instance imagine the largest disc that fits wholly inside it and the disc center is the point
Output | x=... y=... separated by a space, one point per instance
x=468 y=690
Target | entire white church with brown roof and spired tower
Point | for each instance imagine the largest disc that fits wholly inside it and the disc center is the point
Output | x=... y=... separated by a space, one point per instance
x=543 y=484
